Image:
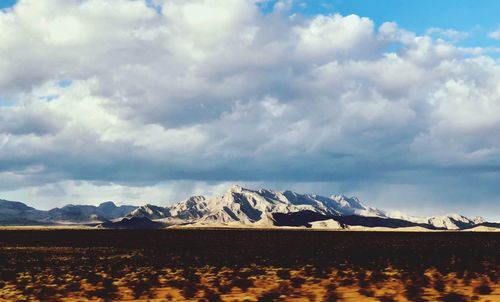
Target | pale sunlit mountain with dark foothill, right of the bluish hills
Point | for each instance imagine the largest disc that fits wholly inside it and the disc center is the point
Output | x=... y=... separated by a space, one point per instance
x=266 y=208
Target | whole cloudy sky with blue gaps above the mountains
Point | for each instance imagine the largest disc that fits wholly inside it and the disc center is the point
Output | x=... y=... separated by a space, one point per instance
x=395 y=102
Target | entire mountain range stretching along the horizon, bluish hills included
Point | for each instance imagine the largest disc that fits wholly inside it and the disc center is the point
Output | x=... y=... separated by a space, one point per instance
x=241 y=207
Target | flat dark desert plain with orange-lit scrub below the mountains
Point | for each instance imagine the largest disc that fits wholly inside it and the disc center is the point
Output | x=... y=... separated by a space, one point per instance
x=247 y=265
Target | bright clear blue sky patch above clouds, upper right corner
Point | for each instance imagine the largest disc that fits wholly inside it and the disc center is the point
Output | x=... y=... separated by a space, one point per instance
x=472 y=18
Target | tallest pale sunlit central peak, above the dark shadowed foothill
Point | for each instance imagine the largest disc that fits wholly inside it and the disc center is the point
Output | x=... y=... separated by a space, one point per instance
x=256 y=207
